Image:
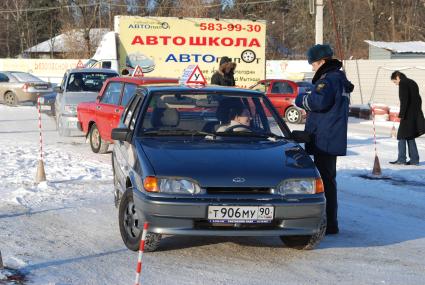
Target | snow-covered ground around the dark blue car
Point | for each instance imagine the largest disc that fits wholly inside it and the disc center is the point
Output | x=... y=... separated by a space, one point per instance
x=65 y=231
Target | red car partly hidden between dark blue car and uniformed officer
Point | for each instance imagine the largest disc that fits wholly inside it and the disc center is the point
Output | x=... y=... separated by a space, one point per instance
x=282 y=94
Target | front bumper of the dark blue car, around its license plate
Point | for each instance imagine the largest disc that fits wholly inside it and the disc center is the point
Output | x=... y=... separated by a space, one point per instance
x=190 y=216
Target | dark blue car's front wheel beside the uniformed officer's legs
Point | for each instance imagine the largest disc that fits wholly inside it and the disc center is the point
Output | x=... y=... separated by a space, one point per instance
x=306 y=242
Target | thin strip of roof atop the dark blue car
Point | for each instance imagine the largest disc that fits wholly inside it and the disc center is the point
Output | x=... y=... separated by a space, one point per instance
x=204 y=89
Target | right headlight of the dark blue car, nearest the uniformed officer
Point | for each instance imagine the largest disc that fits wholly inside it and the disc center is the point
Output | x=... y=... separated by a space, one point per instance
x=301 y=186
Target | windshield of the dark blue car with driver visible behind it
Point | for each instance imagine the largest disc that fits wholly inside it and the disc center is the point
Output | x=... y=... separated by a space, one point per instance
x=226 y=115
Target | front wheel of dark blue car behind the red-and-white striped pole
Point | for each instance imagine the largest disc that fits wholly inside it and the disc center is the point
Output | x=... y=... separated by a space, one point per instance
x=131 y=225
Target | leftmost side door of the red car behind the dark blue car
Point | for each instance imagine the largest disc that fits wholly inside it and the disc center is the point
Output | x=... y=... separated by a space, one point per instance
x=108 y=110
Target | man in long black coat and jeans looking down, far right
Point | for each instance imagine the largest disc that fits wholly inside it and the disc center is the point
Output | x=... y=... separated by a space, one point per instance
x=412 y=122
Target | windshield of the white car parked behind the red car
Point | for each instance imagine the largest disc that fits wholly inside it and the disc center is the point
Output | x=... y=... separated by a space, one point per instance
x=87 y=81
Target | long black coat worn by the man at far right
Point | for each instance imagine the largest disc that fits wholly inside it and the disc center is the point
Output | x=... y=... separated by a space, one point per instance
x=412 y=123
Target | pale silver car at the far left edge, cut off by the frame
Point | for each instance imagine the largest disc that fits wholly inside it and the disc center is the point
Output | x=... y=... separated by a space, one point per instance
x=18 y=87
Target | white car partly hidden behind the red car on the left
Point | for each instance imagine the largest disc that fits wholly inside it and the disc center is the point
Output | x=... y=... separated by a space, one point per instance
x=78 y=85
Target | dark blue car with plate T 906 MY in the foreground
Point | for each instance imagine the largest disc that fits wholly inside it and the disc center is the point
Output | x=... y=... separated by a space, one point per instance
x=213 y=161
